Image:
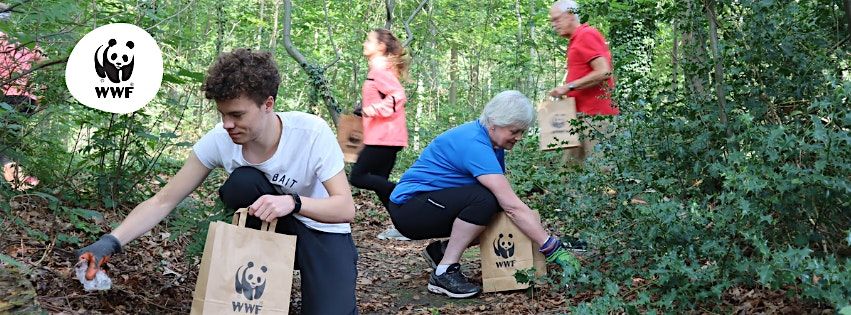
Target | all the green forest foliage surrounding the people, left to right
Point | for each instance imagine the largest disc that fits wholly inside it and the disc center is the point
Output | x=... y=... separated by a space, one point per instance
x=753 y=194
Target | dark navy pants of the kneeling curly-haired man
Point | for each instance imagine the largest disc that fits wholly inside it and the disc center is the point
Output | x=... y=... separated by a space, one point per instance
x=328 y=261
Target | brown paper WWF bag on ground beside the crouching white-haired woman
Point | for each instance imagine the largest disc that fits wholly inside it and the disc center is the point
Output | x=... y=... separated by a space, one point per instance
x=505 y=250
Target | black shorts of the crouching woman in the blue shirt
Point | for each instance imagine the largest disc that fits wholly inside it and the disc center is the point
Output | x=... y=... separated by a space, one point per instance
x=431 y=214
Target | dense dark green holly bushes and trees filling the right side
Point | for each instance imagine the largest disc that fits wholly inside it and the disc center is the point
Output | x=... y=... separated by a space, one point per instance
x=766 y=207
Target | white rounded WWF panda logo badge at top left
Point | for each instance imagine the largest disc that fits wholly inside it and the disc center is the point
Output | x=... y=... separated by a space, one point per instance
x=117 y=68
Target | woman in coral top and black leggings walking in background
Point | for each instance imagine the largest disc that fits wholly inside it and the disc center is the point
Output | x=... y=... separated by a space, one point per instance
x=385 y=132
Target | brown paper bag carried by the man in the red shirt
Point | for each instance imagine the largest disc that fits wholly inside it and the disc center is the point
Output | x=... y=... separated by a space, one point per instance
x=554 y=121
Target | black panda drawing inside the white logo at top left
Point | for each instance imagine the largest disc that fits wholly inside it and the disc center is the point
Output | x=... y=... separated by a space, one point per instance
x=115 y=59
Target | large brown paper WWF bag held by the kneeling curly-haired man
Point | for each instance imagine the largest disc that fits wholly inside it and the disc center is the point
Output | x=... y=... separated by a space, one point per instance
x=244 y=271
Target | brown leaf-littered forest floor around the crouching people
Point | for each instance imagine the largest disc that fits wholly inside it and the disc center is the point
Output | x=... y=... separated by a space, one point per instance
x=154 y=276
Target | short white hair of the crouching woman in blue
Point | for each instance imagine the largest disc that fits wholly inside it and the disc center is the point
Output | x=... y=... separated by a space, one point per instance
x=508 y=108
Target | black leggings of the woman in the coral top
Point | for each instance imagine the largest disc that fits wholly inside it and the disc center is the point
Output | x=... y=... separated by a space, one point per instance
x=372 y=170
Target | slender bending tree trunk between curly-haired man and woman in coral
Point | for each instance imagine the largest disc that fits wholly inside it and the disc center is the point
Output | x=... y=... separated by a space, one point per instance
x=315 y=73
